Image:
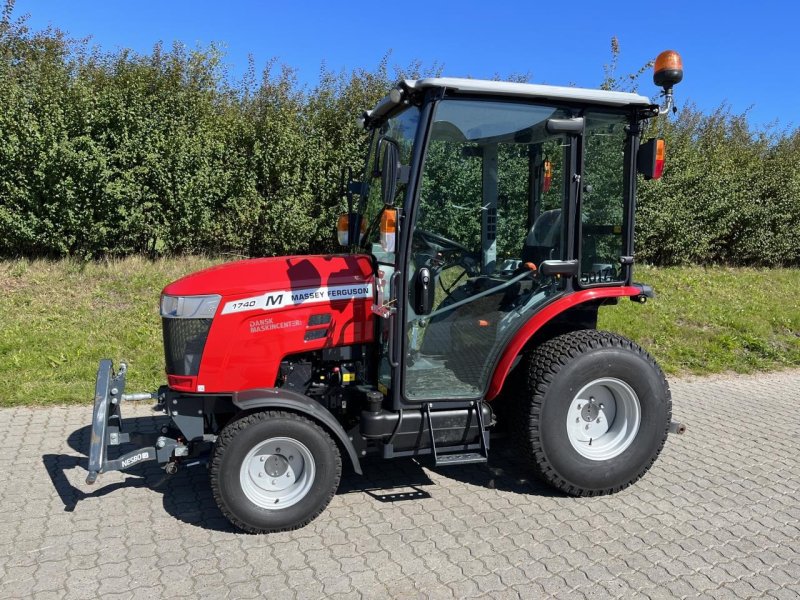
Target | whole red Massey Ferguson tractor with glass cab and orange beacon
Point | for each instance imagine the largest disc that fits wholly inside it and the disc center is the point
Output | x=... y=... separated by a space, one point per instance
x=491 y=223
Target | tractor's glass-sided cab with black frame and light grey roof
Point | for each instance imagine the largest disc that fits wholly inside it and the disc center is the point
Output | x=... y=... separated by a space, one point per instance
x=483 y=203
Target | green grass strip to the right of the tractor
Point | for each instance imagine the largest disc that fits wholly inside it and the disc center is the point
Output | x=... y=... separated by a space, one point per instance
x=710 y=320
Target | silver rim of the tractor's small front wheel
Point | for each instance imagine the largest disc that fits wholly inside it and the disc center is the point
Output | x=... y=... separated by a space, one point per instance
x=277 y=473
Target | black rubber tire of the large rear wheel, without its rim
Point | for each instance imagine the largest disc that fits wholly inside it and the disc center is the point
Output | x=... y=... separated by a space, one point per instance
x=557 y=370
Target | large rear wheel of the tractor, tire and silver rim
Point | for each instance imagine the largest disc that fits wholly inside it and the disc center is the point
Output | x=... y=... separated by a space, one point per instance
x=596 y=412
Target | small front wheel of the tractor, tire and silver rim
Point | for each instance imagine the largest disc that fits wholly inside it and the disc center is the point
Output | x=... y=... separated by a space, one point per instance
x=274 y=471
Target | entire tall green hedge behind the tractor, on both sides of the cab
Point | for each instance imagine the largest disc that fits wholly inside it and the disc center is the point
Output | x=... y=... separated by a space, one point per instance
x=119 y=153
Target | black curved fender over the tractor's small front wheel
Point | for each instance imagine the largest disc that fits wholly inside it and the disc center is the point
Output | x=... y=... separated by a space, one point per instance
x=288 y=400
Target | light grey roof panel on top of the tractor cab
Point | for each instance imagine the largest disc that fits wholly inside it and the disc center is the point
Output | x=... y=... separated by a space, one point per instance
x=529 y=90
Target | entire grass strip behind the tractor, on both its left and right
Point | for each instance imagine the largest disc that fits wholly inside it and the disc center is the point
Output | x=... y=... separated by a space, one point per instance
x=58 y=319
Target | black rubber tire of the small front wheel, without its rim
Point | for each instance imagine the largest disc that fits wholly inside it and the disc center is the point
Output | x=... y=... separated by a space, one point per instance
x=241 y=436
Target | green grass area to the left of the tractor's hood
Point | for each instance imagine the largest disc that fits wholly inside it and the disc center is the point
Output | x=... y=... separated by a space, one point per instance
x=58 y=319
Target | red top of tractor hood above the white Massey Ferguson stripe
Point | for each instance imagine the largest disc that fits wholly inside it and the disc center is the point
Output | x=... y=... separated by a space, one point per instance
x=259 y=275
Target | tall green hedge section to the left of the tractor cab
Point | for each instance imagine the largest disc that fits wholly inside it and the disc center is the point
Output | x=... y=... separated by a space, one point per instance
x=119 y=153
